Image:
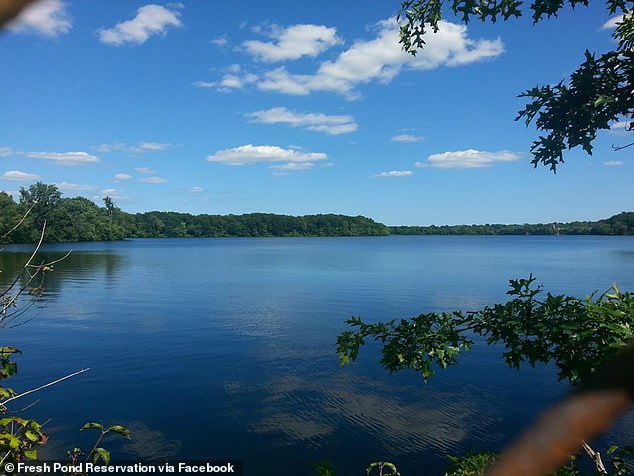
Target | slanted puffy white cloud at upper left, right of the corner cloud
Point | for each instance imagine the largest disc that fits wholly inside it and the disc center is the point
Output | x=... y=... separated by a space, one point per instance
x=150 y=20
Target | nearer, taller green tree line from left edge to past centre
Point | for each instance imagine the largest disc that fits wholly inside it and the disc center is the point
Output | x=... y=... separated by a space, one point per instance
x=79 y=219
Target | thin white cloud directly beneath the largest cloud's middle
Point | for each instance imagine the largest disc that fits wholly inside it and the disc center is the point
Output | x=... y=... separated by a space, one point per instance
x=333 y=125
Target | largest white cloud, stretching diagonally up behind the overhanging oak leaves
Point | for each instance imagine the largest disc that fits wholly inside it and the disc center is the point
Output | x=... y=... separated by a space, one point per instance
x=376 y=60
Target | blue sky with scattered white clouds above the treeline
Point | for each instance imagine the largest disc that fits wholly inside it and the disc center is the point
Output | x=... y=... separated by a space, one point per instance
x=231 y=107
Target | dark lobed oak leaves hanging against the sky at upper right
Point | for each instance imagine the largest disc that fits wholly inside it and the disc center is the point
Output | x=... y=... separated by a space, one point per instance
x=596 y=95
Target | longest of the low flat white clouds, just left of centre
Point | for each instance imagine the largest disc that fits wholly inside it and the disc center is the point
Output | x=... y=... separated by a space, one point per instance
x=252 y=154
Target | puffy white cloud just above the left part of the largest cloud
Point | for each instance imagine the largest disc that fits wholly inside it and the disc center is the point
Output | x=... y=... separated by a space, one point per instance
x=293 y=43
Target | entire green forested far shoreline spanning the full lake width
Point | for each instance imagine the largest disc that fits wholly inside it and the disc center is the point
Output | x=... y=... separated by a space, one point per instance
x=80 y=219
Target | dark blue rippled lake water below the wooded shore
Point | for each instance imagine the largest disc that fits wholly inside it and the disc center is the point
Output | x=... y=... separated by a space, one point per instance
x=225 y=348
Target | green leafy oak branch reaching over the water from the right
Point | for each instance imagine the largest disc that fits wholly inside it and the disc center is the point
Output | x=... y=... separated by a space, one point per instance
x=575 y=334
